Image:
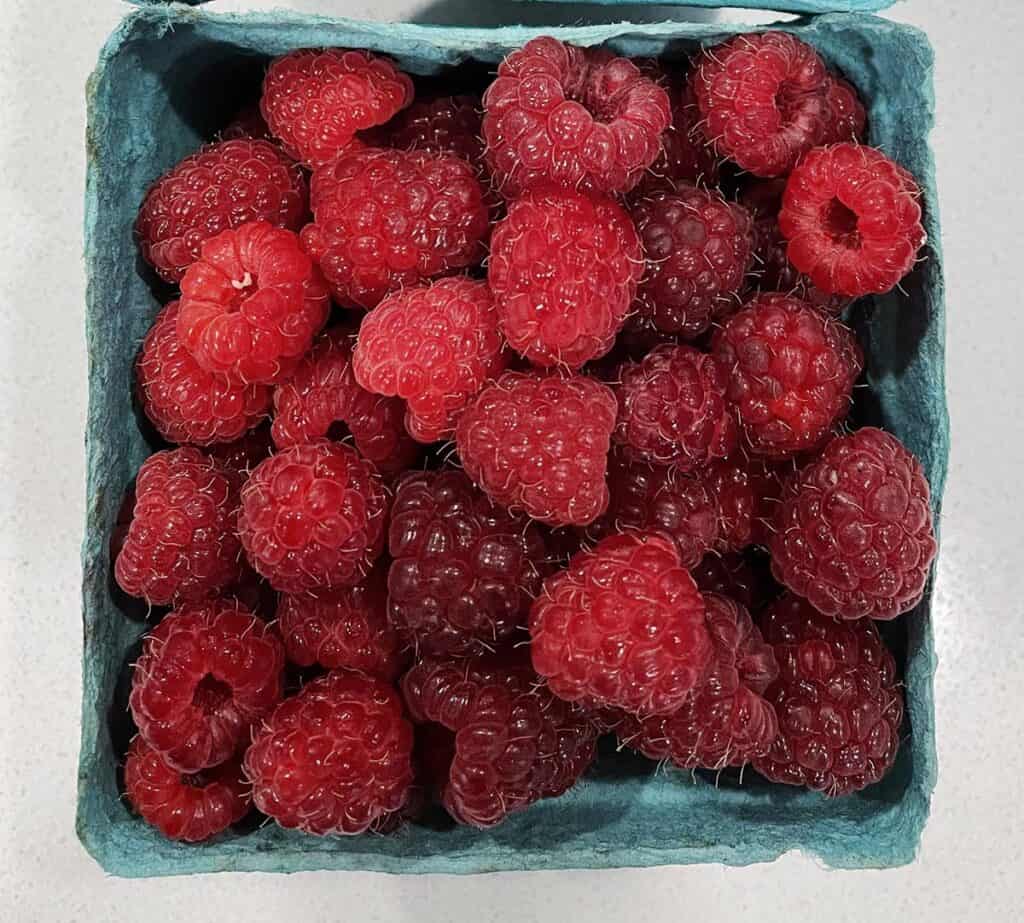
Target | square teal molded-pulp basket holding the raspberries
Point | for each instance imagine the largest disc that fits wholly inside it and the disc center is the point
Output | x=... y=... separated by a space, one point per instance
x=165 y=81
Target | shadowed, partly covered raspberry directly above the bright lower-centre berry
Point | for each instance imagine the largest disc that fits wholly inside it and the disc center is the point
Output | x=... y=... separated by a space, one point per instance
x=656 y=498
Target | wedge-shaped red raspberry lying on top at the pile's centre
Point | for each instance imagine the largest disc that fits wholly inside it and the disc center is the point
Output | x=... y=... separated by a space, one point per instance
x=540 y=444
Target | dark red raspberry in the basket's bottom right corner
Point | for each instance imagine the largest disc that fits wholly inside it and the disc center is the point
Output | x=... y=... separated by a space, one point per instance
x=839 y=705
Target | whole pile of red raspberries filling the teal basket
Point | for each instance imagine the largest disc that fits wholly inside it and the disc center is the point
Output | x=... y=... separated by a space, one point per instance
x=489 y=425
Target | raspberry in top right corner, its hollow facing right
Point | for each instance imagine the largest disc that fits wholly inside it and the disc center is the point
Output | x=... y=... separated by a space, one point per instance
x=765 y=101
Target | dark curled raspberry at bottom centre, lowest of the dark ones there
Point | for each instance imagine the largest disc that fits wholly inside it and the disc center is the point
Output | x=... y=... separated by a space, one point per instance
x=510 y=741
